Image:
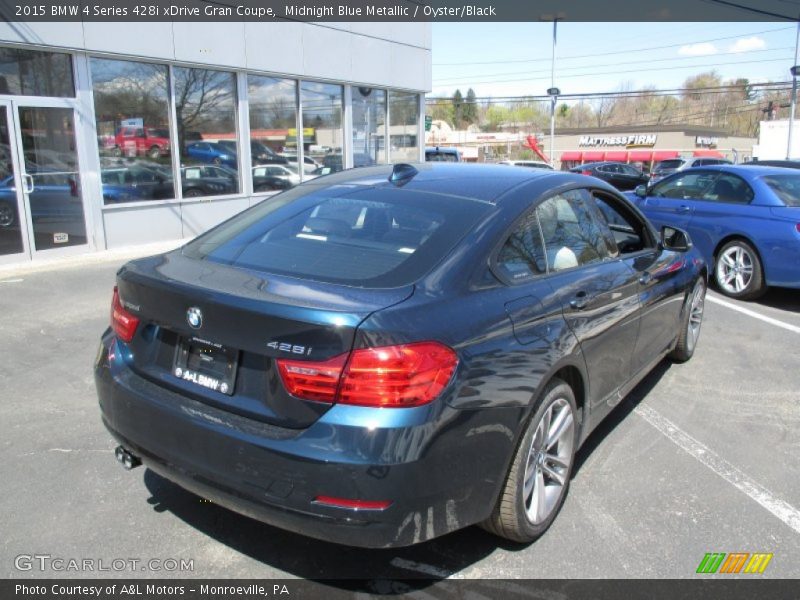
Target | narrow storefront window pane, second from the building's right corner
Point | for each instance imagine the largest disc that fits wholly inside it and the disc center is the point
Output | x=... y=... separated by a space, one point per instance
x=369 y=126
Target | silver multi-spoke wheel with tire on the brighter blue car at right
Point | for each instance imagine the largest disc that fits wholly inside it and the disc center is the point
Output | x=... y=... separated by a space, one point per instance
x=738 y=272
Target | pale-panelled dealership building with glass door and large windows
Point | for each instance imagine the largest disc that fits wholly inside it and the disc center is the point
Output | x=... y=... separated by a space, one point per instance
x=116 y=134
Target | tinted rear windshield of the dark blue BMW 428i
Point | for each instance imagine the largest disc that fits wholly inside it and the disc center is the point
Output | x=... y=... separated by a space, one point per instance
x=374 y=237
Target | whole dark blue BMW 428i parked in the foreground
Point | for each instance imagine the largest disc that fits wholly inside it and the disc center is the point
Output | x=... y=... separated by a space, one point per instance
x=387 y=354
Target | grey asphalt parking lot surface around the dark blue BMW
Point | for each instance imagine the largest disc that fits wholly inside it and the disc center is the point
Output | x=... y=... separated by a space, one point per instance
x=701 y=457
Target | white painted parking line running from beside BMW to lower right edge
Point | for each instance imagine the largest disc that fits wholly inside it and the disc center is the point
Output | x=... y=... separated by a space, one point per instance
x=788 y=514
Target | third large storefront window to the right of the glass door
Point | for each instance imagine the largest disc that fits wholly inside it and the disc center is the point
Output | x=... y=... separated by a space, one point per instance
x=273 y=129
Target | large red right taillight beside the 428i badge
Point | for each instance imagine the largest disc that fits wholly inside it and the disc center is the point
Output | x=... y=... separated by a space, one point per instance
x=390 y=376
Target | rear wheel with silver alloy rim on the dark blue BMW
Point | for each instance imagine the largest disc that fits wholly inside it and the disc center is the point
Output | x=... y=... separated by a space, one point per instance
x=537 y=481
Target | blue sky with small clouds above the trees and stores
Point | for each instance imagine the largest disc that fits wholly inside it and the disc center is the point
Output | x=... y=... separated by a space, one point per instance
x=604 y=57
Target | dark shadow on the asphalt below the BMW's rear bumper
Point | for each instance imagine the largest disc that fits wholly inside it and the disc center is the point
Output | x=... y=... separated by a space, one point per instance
x=300 y=556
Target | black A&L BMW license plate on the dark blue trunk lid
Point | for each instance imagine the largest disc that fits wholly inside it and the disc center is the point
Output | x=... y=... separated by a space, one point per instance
x=206 y=364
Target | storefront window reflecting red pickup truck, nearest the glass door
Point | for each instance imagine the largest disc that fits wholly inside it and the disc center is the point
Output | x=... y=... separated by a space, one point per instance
x=131 y=103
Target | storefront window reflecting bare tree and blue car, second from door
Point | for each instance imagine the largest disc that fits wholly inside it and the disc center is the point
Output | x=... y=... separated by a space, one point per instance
x=205 y=106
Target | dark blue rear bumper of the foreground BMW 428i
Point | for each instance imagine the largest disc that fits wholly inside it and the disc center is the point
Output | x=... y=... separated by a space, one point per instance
x=441 y=468
